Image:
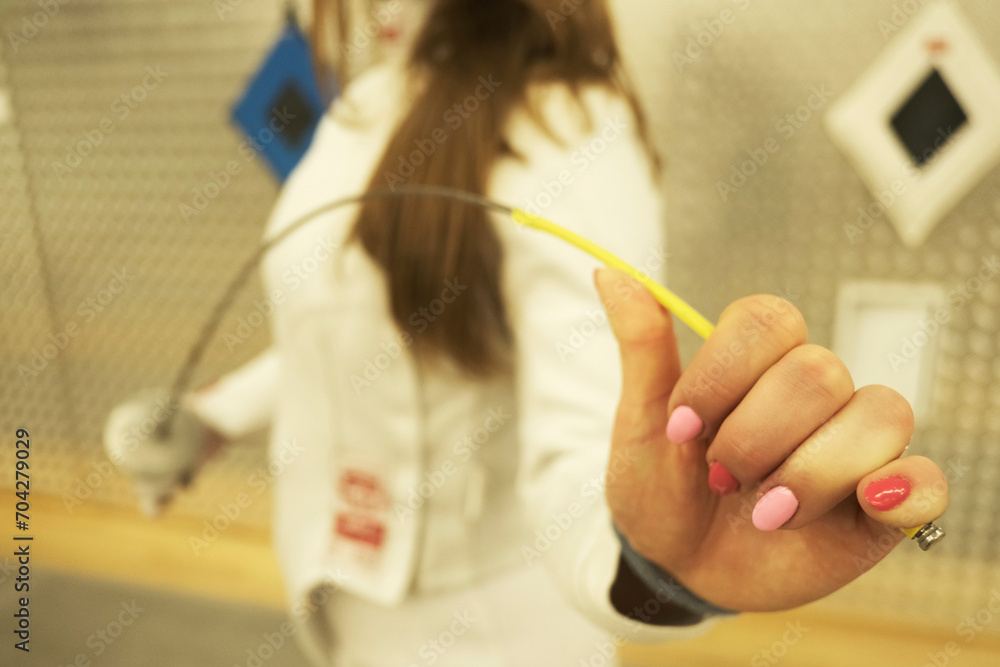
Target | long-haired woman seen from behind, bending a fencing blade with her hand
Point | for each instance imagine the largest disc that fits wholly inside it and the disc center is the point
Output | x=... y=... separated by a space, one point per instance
x=444 y=384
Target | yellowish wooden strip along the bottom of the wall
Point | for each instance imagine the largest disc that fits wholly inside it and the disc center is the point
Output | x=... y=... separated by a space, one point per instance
x=239 y=565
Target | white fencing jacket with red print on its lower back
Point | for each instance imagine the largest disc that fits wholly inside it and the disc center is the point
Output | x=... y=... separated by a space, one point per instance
x=395 y=478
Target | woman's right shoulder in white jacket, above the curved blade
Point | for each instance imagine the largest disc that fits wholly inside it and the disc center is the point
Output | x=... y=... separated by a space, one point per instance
x=578 y=158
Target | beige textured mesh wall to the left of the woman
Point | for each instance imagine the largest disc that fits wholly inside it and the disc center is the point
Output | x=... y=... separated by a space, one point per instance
x=122 y=118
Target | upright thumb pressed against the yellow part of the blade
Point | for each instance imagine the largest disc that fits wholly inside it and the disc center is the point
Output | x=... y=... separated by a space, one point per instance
x=648 y=347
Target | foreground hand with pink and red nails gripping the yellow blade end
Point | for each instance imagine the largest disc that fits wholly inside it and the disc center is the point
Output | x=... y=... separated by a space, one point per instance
x=767 y=410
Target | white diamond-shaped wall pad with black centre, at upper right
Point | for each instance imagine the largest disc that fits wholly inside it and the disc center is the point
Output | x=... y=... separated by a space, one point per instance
x=922 y=125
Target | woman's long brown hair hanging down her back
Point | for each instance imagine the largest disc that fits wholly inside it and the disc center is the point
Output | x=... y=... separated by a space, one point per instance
x=421 y=242
